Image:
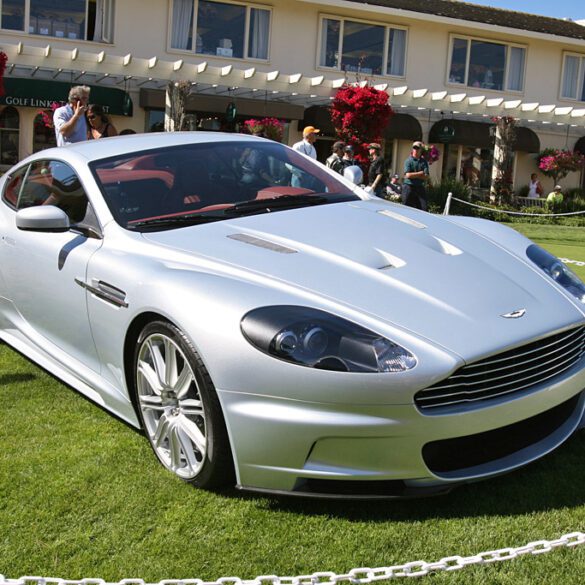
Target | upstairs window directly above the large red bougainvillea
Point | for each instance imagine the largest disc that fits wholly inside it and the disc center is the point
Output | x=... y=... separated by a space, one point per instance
x=371 y=49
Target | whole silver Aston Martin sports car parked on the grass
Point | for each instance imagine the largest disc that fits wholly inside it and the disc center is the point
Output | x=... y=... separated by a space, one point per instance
x=271 y=325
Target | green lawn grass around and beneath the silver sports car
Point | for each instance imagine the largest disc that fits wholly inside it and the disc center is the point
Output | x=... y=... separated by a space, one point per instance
x=81 y=495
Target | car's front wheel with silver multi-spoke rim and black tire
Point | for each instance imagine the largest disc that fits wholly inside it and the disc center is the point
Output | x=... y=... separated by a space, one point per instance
x=179 y=408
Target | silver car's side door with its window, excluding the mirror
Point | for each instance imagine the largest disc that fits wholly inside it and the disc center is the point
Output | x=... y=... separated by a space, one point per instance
x=42 y=270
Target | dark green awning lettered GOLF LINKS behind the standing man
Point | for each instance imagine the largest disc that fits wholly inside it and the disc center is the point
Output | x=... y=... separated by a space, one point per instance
x=40 y=93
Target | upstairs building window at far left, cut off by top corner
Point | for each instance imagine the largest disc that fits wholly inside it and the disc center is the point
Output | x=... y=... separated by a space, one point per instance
x=89 y=20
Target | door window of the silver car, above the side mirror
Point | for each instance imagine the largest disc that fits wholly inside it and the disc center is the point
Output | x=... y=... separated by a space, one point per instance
x=54 y=183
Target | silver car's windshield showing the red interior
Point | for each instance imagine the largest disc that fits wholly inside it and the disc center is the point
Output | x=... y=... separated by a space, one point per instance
x=192 y=184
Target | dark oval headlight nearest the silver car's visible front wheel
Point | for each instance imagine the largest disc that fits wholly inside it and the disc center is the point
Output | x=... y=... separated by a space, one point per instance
x=316 y=339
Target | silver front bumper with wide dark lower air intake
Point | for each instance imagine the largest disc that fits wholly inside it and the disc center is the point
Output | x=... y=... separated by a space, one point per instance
x=340 y=450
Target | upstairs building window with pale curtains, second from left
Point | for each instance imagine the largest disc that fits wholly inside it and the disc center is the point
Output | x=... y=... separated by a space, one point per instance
x=219 y=28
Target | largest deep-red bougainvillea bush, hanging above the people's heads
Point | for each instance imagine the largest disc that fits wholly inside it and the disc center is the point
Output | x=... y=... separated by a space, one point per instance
x=360 y=114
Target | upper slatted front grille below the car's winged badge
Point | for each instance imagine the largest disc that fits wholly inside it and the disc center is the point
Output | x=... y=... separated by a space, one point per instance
x=506 y=373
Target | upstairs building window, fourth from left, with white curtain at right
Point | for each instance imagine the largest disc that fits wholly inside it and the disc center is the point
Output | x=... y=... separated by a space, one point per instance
x=488 y=65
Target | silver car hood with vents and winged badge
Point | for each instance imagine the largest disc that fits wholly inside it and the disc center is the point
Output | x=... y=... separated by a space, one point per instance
x=416 y=271
